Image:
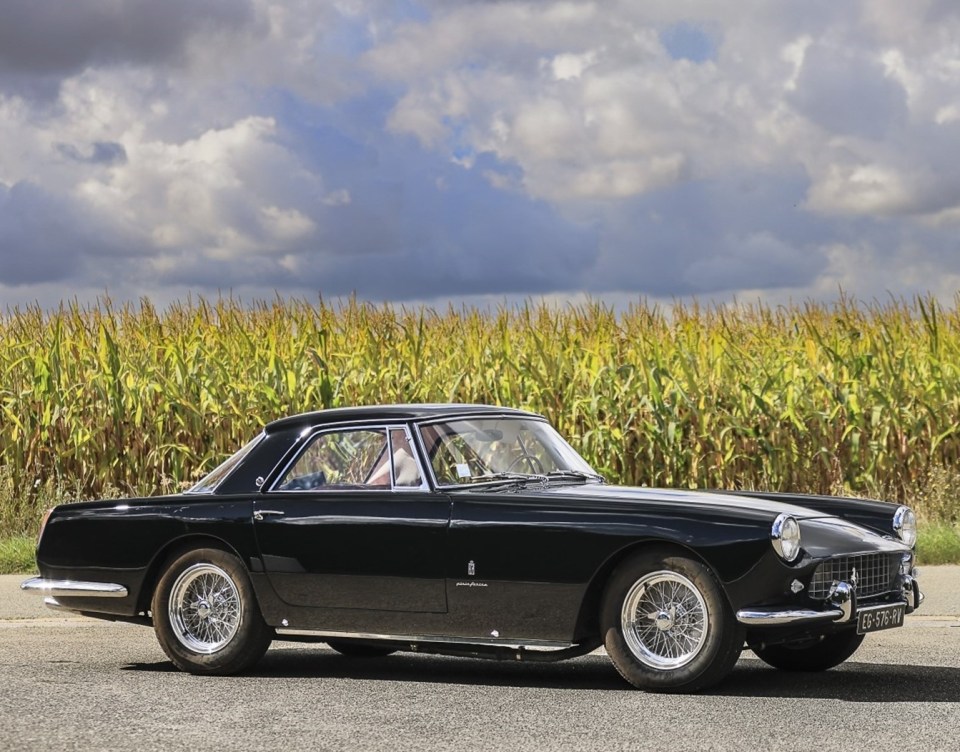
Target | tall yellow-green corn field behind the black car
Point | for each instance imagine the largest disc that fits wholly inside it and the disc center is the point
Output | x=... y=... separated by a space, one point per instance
x=104 y=400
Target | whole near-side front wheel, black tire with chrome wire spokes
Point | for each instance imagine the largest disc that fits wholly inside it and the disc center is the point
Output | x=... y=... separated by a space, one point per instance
x=688 y=639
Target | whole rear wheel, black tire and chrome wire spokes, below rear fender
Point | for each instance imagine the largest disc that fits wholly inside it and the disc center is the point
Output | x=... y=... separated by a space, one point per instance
x=206 y=615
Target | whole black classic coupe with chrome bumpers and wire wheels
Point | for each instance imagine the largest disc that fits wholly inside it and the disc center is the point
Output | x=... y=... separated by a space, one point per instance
x=478 y=531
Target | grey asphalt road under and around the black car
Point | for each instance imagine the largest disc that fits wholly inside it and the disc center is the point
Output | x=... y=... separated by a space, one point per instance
x=69 y=683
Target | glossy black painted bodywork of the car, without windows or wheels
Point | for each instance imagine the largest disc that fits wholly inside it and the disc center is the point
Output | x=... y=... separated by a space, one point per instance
x=527 y=563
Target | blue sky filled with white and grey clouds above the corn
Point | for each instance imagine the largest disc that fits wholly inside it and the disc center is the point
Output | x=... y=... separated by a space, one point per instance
x=468 y=151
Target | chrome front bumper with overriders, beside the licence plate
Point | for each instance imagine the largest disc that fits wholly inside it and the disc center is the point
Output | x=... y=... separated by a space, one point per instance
x=841 y=607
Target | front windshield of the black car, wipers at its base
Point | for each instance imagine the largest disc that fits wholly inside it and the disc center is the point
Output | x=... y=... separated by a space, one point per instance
x=480 y=450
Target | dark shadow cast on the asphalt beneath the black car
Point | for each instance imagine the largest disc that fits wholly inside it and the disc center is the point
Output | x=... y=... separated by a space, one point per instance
x=854 y=682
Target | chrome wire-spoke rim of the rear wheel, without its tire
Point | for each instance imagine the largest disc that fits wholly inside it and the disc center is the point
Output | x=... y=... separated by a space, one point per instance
x=204 y=608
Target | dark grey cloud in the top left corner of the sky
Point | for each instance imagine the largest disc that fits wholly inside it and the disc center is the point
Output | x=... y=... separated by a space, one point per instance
x=48 y=40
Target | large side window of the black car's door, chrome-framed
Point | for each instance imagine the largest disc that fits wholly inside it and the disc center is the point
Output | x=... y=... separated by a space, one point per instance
x=342 y=458
